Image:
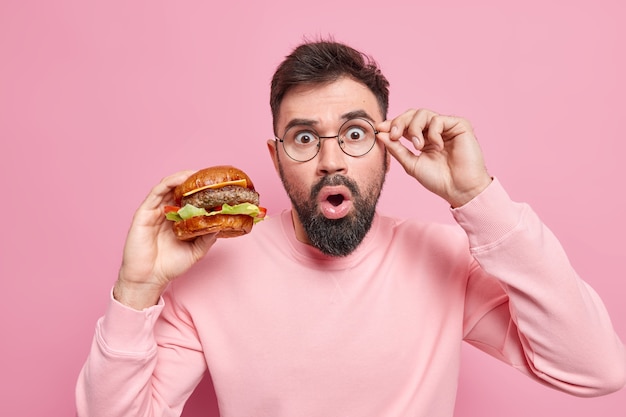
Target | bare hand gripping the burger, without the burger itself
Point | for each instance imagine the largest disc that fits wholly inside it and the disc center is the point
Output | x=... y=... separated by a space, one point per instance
x=153 y=256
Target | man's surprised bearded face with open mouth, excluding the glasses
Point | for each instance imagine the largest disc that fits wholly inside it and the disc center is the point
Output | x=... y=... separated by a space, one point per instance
x=334 y=195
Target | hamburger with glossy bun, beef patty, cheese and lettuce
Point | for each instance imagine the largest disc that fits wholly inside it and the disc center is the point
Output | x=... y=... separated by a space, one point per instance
x=219 y=199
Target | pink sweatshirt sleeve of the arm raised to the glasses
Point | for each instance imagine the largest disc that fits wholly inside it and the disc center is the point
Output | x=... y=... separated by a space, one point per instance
x=543 y=319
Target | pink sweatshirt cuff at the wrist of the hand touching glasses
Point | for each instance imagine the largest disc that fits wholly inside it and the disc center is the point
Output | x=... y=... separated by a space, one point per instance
x=489 y=217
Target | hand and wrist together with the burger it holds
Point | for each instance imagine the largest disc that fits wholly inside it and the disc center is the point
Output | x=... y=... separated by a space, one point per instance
x=165 y=240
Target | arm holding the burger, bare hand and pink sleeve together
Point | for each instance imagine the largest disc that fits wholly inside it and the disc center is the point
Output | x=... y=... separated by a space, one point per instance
x=126 y=372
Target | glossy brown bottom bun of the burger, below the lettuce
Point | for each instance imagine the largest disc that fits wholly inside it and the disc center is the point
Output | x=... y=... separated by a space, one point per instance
x=225 y=225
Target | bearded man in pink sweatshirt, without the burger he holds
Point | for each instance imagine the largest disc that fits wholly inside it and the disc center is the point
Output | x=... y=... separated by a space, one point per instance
x=330 y=309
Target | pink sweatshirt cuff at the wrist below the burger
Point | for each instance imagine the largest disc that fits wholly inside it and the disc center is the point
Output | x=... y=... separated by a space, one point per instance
x=124 y=330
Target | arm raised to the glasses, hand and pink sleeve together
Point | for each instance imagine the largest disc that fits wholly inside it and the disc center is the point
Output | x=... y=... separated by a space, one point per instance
x=547 y=322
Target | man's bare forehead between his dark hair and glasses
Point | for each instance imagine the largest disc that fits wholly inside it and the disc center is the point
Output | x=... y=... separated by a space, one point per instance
x=328 y=103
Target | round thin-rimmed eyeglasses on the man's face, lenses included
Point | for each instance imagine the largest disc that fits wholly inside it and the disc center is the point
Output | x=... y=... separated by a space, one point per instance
x=356 y=137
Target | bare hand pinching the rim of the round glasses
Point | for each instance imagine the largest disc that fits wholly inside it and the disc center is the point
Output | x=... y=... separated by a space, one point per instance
x=448 y=160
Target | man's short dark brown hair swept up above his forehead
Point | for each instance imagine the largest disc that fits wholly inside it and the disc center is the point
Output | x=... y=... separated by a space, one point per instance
x=322 y=62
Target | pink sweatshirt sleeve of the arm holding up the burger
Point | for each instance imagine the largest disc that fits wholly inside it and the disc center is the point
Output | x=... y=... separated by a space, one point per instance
x=141 y=363
